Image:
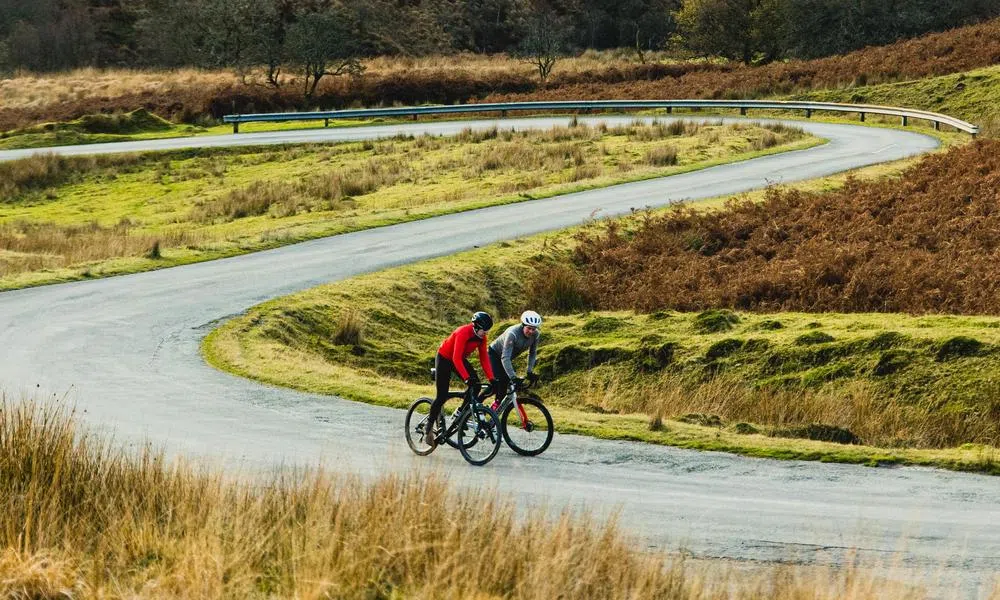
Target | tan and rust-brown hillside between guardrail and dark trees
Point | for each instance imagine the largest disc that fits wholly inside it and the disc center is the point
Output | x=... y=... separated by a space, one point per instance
x=198 y=96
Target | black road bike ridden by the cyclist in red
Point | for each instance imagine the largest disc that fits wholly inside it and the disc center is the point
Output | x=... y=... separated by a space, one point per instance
x=473 y=427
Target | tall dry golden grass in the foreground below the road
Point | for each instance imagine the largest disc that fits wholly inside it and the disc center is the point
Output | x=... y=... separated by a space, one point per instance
x=82 y=519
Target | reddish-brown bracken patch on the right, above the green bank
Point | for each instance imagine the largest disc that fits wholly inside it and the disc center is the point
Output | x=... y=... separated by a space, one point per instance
x=926 y=242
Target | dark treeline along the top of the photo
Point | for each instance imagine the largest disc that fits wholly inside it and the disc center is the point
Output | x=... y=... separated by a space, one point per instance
x=47 y=35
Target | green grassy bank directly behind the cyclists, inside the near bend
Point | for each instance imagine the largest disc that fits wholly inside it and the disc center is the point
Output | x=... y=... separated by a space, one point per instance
x=638 y=377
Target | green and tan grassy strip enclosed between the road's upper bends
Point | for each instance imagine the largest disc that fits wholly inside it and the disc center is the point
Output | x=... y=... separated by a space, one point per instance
x=200 y=205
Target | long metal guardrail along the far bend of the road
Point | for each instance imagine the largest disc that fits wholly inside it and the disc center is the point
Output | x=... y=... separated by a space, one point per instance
x=905 y=114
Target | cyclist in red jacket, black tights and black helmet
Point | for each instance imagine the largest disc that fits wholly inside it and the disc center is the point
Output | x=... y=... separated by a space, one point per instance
x=451 y=357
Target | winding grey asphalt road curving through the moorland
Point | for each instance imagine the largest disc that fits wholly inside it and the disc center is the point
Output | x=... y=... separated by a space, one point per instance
x=126 y=350
